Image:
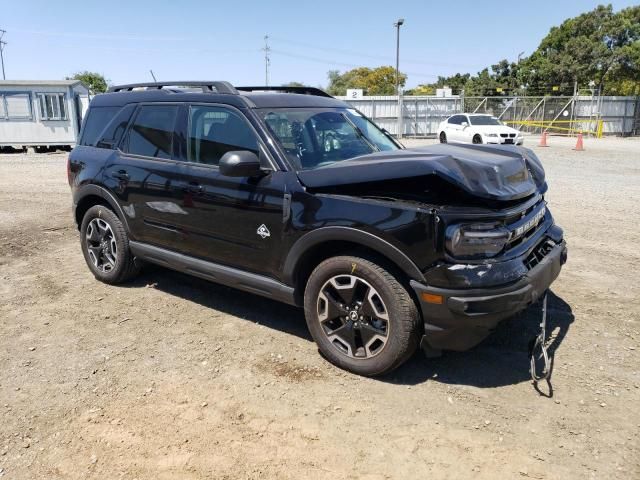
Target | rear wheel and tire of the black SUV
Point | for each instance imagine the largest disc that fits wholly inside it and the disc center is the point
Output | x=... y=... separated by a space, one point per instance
x=105 y=245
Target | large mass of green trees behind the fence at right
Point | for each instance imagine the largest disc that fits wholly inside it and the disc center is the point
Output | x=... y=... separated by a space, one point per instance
x=600 y=46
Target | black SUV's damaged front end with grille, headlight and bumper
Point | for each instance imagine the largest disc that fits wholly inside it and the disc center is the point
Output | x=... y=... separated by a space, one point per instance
x=464 y=297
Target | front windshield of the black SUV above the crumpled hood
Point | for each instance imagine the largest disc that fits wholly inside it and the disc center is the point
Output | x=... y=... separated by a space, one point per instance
x=316 y=137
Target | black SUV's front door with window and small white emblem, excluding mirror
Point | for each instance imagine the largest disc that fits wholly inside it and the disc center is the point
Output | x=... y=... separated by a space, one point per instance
x=230 y=220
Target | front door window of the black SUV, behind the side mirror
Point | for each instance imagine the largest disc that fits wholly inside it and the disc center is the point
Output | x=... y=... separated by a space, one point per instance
x=214 y=131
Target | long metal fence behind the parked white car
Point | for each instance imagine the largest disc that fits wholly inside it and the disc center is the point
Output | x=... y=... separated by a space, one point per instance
x=421 y=115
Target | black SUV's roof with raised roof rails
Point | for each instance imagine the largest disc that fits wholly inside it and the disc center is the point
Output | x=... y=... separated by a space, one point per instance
x=217 y=92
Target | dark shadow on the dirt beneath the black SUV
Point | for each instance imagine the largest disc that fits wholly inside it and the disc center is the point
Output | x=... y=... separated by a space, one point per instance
x=501 y=359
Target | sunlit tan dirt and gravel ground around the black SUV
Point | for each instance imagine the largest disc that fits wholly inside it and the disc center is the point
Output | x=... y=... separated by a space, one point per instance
x=172 y=377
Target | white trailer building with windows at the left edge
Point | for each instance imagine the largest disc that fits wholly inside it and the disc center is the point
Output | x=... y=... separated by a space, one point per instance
x=41 y=113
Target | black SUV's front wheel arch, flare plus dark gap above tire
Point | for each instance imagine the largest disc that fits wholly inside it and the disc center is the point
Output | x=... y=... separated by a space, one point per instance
x=326 y=242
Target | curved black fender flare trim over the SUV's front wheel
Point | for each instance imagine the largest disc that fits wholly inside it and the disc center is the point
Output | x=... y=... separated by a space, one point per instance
x=349 y=234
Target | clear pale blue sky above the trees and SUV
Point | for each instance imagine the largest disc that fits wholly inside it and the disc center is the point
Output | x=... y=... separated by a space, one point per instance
x=223 y=40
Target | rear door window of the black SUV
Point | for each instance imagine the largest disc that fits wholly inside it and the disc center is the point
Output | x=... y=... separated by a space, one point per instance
x=151 y=133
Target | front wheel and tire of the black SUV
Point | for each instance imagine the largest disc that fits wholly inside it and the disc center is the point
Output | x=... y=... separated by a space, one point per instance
x=383 y=331
